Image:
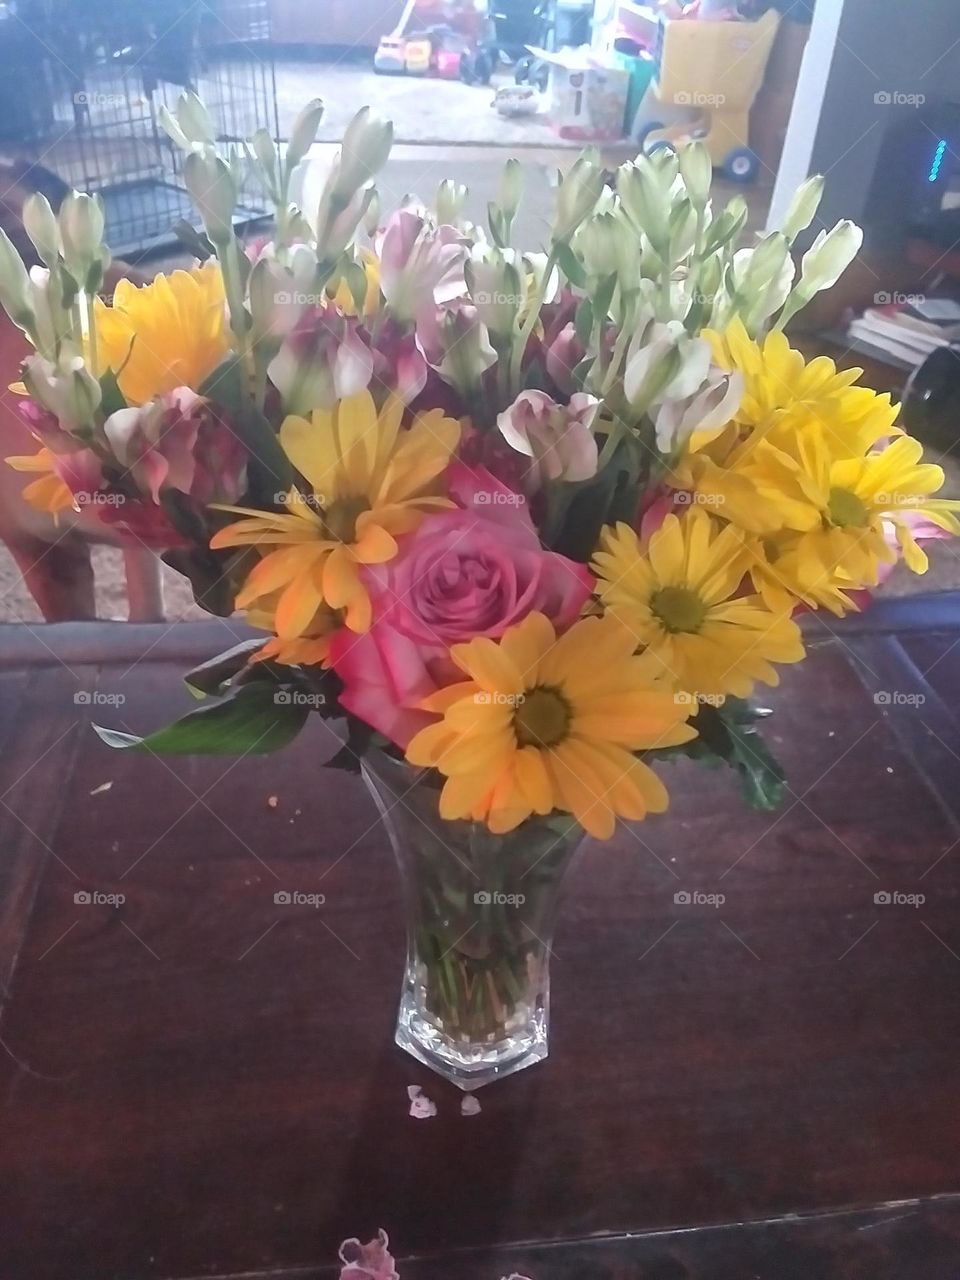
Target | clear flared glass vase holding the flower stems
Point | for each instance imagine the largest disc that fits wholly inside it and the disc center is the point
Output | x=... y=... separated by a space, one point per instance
x=481 y=918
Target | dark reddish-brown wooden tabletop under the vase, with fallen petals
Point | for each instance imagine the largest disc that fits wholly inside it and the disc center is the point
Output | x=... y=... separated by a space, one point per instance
x=200 y=1082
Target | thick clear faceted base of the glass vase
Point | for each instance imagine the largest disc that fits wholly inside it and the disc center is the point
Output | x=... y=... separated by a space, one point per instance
x=472 y=1067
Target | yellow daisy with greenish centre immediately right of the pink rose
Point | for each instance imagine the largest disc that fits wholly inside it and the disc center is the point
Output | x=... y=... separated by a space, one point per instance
x=679 y=598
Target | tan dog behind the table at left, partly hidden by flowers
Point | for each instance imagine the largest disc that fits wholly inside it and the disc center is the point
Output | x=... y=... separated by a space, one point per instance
x=54 y=556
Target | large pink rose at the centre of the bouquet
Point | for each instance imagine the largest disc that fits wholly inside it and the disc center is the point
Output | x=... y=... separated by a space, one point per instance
x=461 y=574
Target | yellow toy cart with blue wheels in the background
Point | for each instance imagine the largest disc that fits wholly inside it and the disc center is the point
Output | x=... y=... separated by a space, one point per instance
x=708 y=75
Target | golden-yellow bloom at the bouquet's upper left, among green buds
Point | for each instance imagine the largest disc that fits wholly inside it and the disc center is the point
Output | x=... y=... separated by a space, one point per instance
x=167 y=335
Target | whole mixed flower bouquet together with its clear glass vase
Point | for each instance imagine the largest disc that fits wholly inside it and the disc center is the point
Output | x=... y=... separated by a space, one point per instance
x=527 y=523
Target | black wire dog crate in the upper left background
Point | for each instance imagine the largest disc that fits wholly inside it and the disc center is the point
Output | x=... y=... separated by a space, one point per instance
x=86 y=84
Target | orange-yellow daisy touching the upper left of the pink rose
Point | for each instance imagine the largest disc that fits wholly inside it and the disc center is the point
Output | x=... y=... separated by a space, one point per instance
x=368 y=482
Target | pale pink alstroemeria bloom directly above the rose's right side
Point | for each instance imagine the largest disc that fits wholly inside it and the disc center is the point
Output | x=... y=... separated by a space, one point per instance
x=559 y=438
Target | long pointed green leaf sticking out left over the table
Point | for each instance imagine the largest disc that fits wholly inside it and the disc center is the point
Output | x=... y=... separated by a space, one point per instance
x=255 y=720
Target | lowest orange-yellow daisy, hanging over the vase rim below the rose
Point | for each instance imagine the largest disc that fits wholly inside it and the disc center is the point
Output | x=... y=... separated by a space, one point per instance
x=545 y=724
